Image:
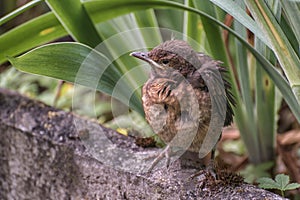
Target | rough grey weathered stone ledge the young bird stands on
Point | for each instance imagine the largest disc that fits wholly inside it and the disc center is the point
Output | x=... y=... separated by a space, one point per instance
x=41 y=157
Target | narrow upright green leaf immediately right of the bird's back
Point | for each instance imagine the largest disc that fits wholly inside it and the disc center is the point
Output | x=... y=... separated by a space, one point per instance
x=245 y=109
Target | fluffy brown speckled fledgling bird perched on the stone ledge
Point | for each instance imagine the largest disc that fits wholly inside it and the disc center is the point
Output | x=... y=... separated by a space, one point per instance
x=180 y=92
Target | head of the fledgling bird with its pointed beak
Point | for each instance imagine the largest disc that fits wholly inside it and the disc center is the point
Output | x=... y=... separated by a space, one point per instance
x=169 y=56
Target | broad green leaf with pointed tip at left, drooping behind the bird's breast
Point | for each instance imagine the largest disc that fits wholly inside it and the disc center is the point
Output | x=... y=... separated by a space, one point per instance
x=79 y=64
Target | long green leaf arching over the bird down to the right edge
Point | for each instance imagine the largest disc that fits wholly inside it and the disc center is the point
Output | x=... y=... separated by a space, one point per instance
x=101 y=10
